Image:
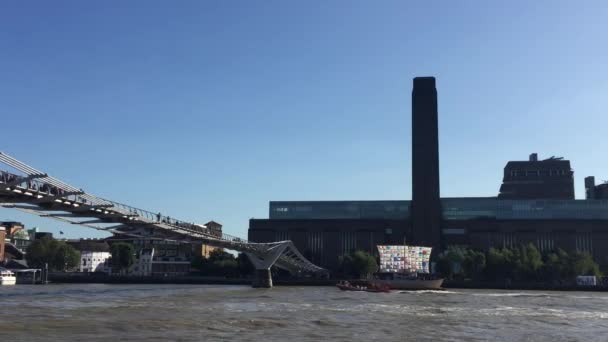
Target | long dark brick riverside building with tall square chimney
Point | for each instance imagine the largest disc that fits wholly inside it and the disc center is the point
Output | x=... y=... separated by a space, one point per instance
x=535 y=205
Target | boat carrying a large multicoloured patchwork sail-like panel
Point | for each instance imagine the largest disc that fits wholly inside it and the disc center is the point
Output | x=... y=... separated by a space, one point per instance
x=406 y=268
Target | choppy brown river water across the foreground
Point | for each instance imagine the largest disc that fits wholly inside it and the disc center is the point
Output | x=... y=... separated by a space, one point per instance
x=94 y=312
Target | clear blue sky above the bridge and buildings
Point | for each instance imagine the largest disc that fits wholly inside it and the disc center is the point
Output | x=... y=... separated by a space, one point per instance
x=209 y=109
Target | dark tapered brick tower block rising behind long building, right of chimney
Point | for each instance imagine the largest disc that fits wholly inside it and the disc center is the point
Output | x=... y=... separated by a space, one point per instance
x=551 y=178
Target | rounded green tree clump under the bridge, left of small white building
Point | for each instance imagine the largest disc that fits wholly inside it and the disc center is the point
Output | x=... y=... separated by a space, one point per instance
x=57 y=254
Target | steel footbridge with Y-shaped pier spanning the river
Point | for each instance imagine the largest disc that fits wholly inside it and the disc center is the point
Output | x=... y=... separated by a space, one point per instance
x=29 y=190
